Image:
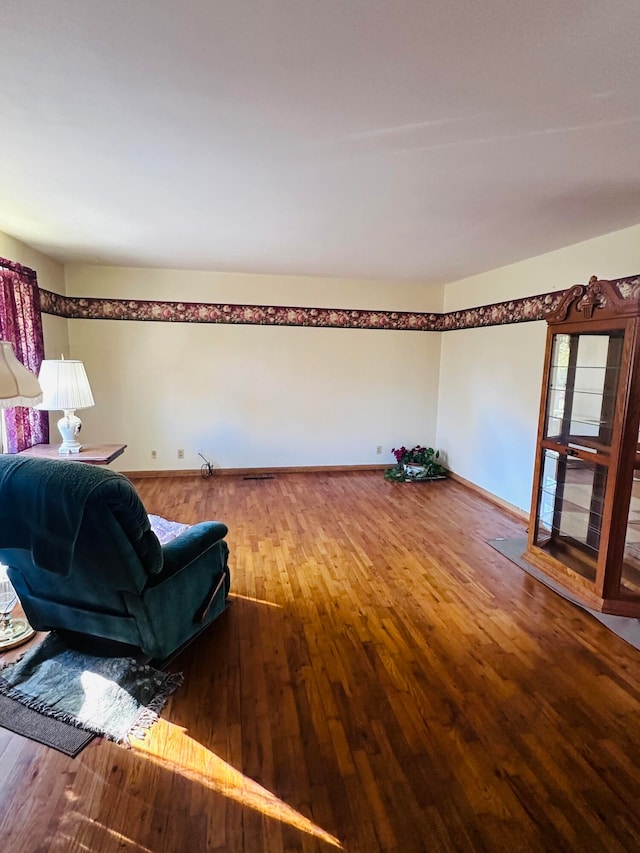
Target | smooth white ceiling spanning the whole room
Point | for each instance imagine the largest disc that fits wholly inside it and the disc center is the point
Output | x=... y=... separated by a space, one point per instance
x=395 y=139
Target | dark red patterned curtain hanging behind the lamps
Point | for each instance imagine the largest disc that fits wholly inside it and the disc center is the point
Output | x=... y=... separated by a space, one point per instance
x=21 y=323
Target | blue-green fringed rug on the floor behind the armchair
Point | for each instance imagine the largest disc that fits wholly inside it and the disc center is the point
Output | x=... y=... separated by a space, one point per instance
x=116 y=698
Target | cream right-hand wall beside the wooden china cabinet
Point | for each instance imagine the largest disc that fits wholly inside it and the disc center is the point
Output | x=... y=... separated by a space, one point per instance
x=490 y=379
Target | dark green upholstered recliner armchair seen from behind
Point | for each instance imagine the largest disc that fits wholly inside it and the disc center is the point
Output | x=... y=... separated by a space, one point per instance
x=85 y=562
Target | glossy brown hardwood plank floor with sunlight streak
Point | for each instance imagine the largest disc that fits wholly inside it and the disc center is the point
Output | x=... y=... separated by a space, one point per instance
x=384 y=681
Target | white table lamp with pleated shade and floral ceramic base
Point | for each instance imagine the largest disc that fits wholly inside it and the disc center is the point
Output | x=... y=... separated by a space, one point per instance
x=65 y=386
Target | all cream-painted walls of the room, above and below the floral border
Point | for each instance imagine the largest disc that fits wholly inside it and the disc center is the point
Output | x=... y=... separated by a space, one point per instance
x=259 y=396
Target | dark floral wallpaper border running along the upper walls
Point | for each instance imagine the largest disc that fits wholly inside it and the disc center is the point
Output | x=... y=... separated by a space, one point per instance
x=523 y=310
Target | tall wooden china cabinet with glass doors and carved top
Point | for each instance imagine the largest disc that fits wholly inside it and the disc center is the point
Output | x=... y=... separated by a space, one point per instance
x=585 y=513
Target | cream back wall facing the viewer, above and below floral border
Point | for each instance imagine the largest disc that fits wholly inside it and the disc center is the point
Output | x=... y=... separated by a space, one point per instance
x=252 y=396
